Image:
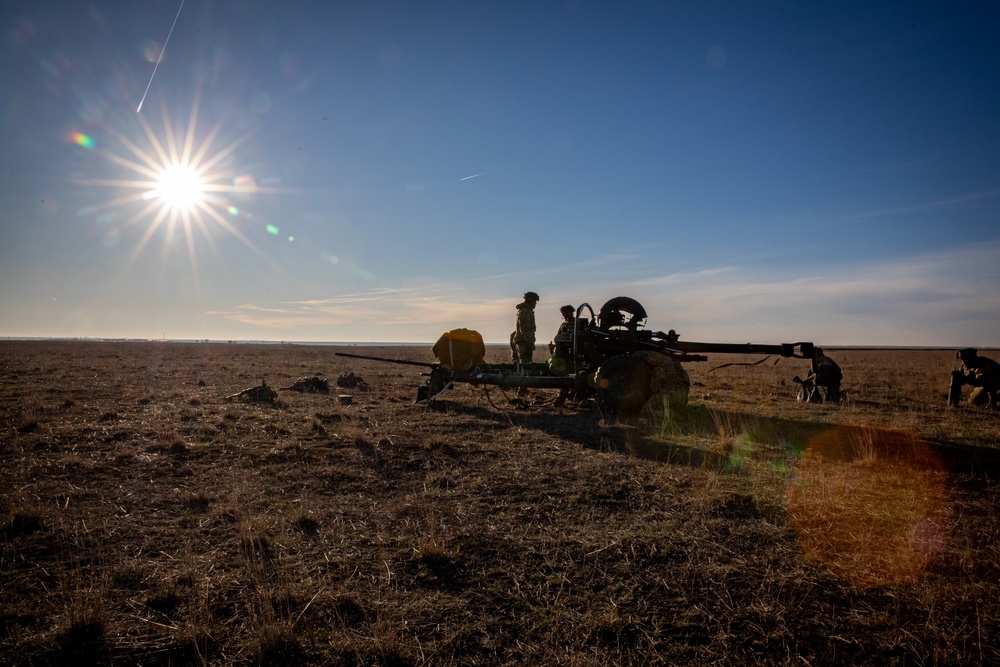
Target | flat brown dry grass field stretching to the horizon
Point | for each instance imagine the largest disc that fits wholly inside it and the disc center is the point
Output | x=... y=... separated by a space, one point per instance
x=147 y=519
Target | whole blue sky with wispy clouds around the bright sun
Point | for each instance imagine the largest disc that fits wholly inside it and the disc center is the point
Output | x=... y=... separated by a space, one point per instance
x=386 y=171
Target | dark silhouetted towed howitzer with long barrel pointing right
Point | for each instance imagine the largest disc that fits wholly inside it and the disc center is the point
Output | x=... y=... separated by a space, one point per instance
x=608 y=355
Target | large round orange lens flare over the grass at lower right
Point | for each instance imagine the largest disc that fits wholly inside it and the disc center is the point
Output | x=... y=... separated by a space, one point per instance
x=870 y=505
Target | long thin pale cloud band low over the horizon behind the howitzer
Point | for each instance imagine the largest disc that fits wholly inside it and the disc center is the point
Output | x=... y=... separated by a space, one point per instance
x=946 y=299
